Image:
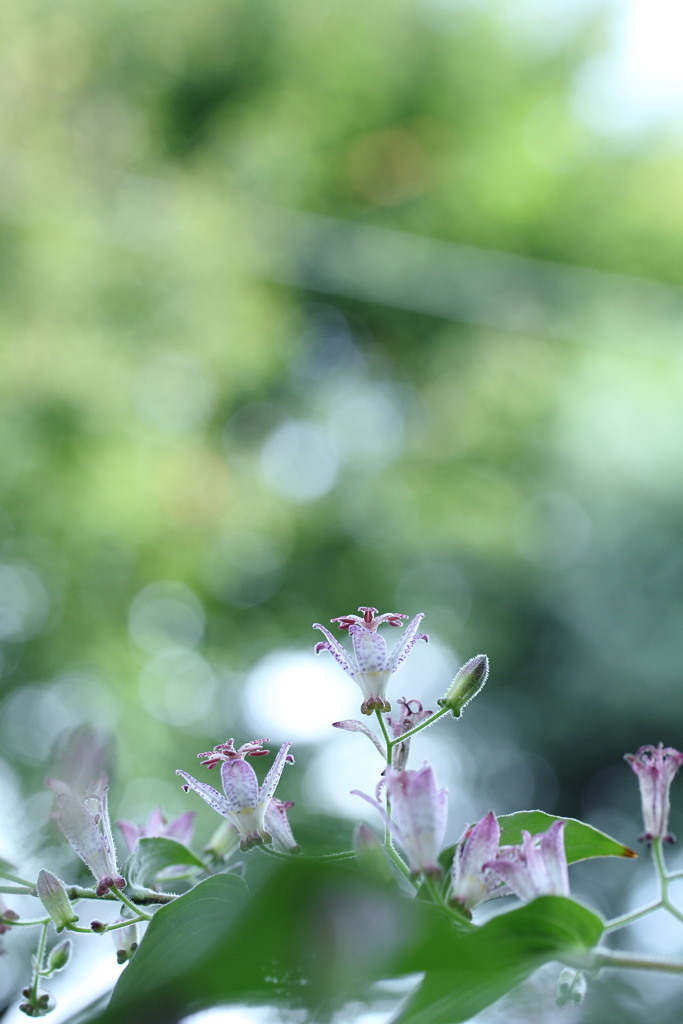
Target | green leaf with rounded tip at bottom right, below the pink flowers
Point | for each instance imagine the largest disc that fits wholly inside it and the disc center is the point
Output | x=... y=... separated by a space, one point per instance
x=482 y=966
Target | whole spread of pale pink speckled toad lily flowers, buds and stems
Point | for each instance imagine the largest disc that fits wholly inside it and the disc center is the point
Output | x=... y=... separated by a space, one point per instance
x=494 y=858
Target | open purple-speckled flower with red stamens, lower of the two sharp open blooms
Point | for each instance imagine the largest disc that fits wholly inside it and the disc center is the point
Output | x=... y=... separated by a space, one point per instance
x=245 y=803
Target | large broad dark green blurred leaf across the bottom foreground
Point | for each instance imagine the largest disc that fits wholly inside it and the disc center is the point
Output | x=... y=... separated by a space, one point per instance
x=314 y=935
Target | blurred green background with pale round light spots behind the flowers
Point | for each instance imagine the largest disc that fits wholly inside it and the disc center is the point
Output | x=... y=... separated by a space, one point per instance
x=210 y=439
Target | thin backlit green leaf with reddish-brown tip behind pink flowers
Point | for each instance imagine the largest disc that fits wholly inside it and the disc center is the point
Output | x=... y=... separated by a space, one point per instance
x=581 y=841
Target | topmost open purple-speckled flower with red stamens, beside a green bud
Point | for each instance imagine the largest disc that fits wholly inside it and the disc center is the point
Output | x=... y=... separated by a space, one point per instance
x=371 y=666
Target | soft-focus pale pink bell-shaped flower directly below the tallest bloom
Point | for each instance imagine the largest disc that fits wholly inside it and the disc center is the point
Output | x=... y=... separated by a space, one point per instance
x=419 y=814
